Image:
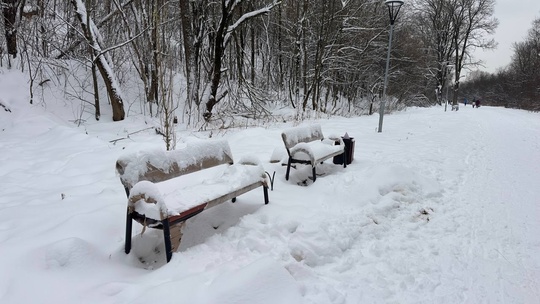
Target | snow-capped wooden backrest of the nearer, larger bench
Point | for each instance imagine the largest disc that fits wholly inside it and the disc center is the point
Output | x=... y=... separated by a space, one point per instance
x=158 y=165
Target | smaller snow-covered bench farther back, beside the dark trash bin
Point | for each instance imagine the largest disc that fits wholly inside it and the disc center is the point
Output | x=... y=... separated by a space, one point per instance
x=307 y=145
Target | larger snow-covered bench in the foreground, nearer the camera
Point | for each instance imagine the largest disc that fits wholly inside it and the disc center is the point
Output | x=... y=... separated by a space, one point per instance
x=162 y=196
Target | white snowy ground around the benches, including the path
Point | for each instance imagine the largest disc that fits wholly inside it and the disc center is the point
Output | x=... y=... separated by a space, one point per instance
x=442 y=207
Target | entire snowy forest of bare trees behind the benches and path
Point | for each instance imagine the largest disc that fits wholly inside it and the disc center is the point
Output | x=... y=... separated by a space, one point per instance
x=220 y=63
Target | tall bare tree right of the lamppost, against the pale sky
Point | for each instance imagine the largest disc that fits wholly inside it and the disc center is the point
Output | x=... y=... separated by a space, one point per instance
x=450 y=30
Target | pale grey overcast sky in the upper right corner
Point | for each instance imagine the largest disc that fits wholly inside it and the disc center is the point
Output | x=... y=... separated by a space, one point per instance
x=515 y=19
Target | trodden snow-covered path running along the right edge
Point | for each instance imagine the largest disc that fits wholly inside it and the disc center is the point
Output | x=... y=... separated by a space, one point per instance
x=498 y=221
